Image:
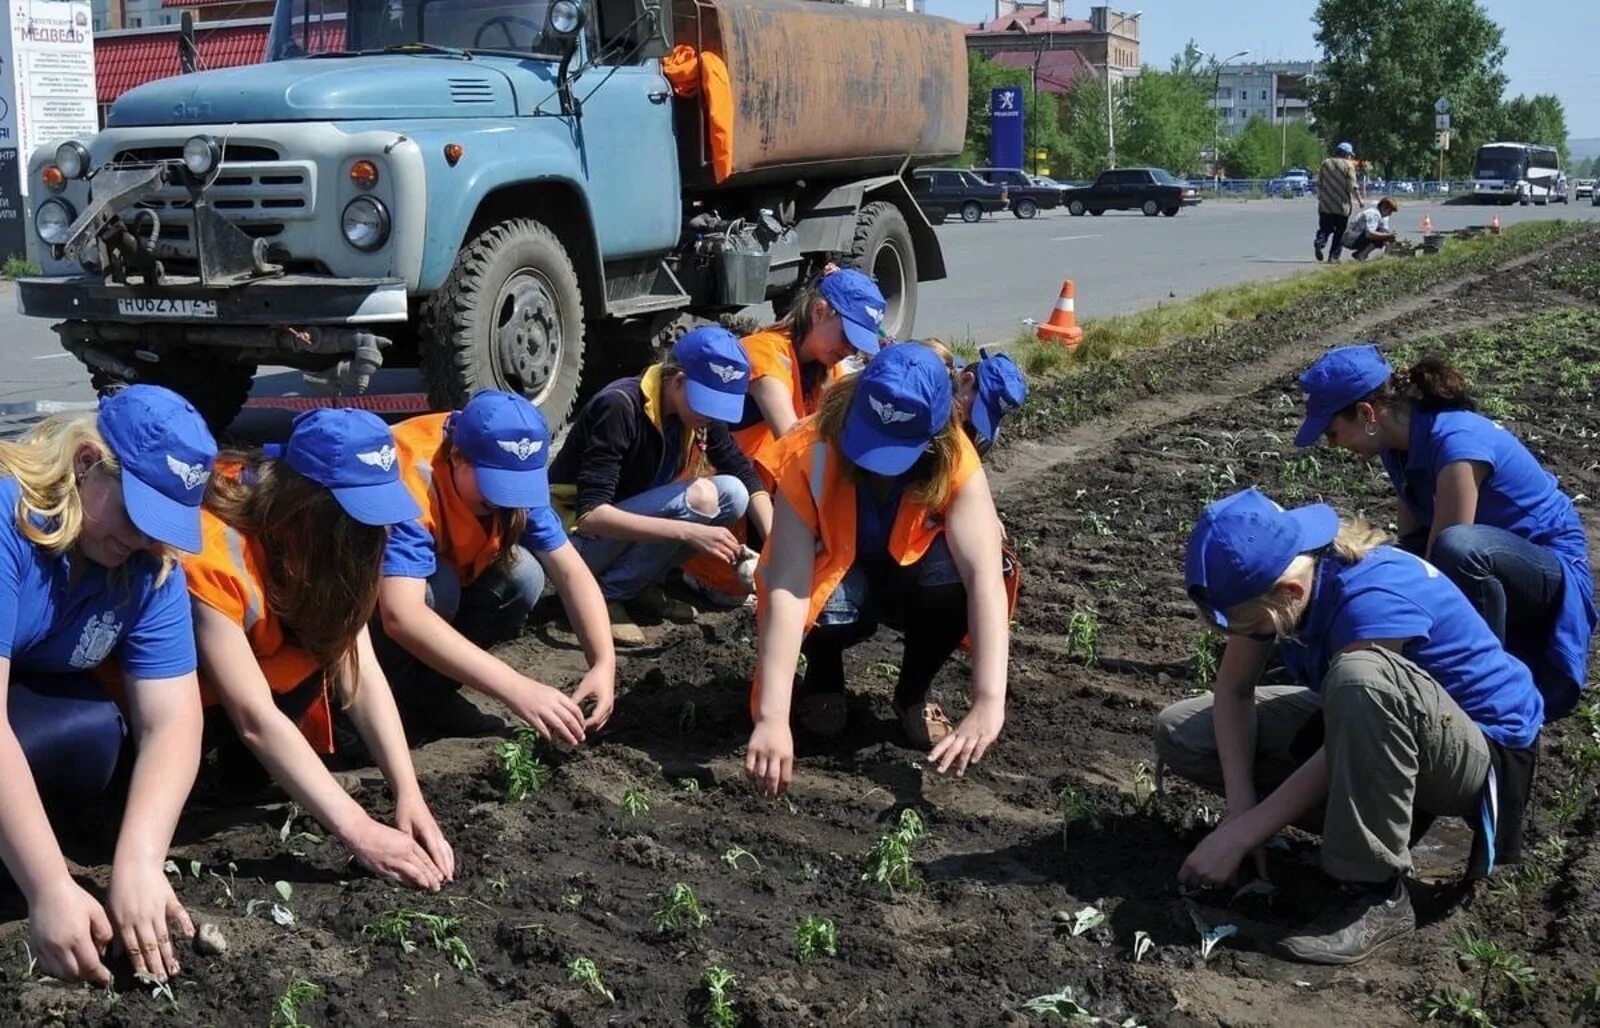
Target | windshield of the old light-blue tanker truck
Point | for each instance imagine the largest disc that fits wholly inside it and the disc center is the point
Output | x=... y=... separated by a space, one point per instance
x=303 y=28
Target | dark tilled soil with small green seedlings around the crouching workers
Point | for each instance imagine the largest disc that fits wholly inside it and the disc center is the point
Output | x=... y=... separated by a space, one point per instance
x=1100 y=507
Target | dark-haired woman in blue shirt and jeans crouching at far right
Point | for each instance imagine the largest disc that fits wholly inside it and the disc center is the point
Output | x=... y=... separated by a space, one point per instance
x=1473 y=500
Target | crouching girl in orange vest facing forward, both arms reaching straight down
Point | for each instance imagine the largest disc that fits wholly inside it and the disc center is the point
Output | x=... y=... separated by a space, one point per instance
x=884 y=515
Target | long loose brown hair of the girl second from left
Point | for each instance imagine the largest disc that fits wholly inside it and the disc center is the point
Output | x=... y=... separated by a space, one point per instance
x=322 y=564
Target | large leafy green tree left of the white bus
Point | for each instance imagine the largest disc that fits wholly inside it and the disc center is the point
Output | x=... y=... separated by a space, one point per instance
x=1385 y=65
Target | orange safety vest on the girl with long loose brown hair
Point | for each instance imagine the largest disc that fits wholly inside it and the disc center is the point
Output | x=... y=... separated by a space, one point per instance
x=230 y=577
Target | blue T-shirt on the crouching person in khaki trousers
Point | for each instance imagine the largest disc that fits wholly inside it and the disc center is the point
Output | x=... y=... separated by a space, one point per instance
x=1394 y=595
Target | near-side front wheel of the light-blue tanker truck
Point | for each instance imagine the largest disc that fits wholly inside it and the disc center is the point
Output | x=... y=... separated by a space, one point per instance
x=508 y=318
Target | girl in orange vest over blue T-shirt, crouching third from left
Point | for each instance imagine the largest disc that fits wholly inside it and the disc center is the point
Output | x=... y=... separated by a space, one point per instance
x=468 y=572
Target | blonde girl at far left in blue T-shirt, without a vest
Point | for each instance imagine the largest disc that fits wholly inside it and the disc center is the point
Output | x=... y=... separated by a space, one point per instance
x=89 y=508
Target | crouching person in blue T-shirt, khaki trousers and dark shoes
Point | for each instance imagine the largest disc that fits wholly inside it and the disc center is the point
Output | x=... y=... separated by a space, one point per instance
x=1406 y=709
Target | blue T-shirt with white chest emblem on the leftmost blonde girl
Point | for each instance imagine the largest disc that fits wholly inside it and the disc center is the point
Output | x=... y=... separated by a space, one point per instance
x=58 y=628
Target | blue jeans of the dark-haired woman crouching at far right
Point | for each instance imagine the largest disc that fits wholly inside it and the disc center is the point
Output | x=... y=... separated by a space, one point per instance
x=1516 y=585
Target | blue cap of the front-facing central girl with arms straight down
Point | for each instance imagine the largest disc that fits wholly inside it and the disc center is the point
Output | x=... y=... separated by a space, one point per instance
x=903 y=401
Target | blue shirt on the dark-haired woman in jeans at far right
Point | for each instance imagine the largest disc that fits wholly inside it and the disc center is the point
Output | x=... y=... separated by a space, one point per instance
x=1518 y=496
